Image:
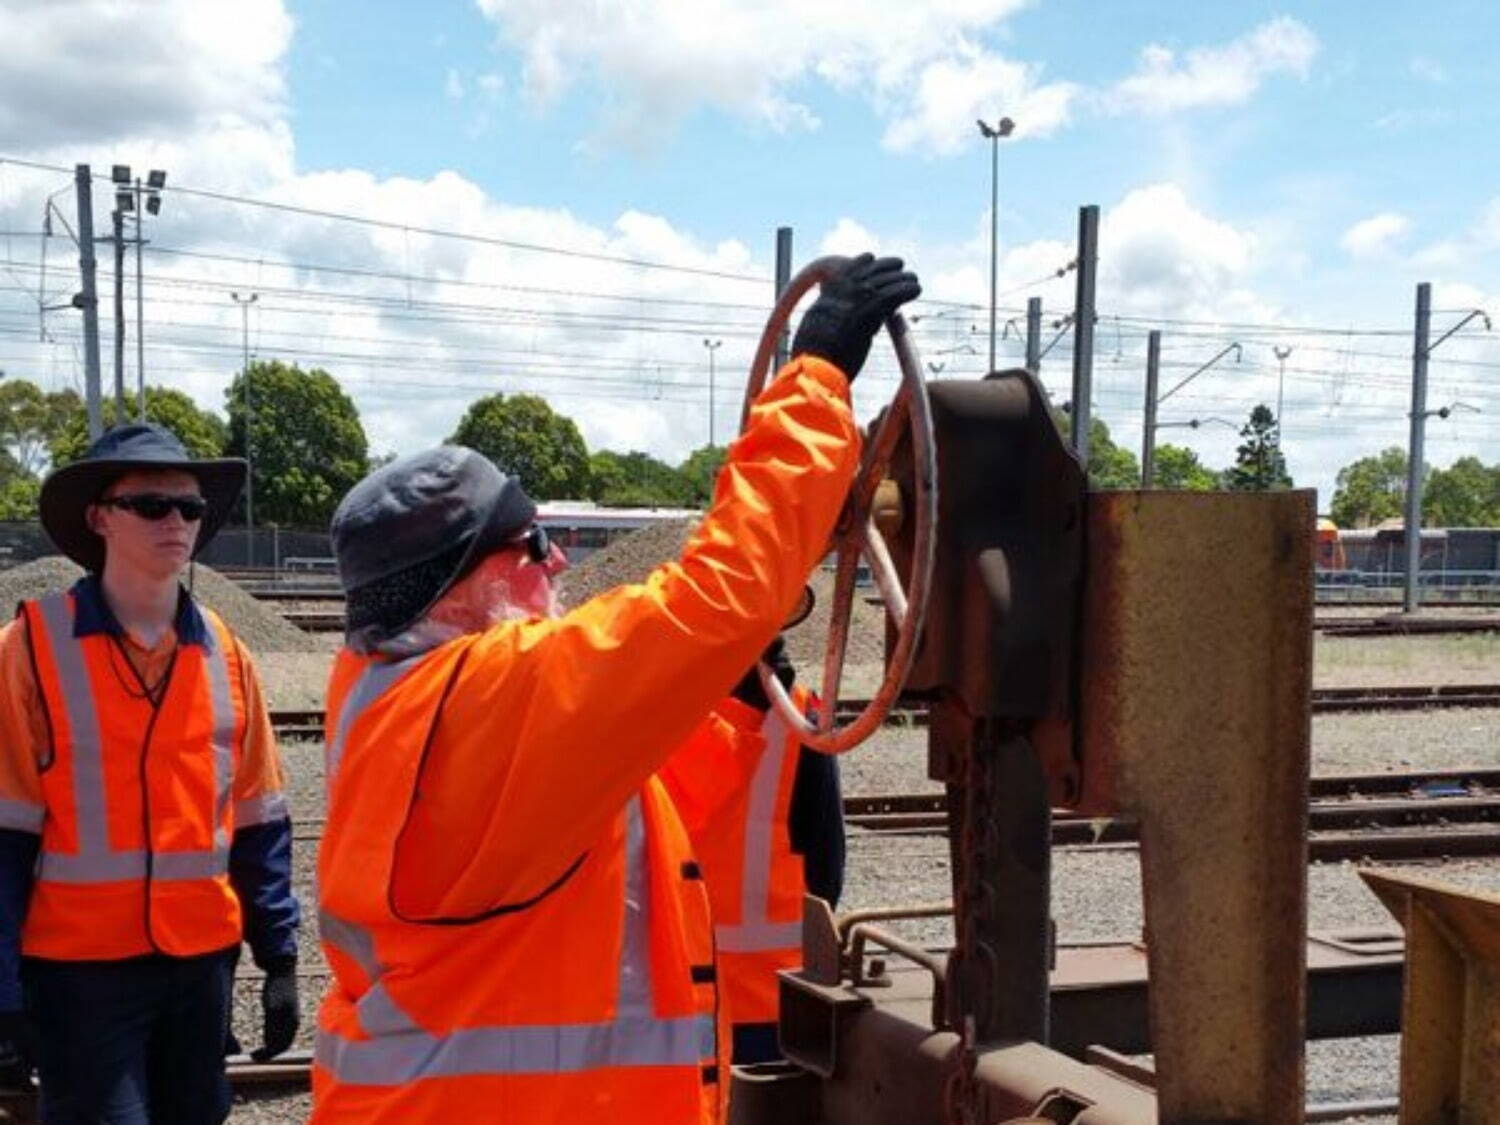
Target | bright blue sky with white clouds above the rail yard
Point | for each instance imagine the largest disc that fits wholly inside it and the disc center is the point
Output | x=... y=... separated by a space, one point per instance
x=1274 y=176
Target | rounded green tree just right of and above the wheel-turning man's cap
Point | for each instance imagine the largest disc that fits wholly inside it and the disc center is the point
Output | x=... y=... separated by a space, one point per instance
x=526 y=437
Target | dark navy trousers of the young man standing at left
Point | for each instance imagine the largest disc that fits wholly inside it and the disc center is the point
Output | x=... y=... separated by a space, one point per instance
x=133 y=1043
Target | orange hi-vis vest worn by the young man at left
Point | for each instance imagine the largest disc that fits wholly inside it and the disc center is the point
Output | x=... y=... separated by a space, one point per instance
x=137 y=823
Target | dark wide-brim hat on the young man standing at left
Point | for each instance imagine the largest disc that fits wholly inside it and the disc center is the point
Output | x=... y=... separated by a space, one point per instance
x=136 y=448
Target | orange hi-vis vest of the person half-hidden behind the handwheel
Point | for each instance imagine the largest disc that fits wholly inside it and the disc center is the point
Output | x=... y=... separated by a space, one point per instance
x=755 y=880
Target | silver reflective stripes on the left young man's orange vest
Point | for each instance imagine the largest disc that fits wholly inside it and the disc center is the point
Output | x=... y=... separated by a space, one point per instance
x=95 y=862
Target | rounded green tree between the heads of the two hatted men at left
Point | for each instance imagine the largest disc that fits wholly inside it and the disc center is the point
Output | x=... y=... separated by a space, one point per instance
x=308 y=446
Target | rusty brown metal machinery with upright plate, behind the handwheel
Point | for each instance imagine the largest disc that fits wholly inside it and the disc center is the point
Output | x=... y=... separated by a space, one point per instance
x=1072 y=658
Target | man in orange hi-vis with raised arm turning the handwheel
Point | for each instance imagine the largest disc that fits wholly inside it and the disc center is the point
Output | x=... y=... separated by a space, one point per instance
x=509 y=902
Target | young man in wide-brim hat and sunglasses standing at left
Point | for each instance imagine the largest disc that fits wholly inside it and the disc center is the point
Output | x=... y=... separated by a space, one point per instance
x=143 y=830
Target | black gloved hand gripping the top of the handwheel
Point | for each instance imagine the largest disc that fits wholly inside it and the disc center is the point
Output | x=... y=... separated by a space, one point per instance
x=851 y=308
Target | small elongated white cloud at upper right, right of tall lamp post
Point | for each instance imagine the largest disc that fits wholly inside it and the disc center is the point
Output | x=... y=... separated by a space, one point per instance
x=1216 y=76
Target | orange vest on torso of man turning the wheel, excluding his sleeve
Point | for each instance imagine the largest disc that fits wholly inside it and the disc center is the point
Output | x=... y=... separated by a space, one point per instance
x=595 y=1003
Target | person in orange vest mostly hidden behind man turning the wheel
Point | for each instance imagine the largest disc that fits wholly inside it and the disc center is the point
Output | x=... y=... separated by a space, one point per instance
x=767 y=830
